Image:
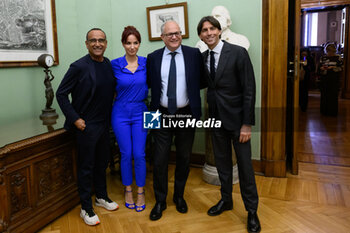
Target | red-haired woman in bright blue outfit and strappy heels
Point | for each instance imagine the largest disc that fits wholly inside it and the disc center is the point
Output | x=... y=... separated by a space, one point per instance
x=127 y=115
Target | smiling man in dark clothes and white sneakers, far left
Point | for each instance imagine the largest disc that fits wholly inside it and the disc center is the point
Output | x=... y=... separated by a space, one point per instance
x=91 y=83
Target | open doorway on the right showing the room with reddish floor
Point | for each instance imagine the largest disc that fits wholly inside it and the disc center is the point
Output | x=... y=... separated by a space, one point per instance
x=323 y=138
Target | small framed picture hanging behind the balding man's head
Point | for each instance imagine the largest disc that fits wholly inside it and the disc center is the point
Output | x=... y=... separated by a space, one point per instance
x=158 y=15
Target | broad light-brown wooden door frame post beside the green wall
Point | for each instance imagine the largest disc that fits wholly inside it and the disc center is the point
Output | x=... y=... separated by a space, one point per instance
x=274 y=87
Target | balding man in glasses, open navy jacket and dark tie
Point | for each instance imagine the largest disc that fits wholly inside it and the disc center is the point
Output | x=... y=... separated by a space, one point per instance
x=173 y=74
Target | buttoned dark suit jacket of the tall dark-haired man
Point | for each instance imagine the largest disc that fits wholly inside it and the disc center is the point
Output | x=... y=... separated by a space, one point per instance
x=231 y=95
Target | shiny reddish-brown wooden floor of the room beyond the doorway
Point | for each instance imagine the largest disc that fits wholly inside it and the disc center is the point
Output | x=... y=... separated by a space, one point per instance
x=323 y=139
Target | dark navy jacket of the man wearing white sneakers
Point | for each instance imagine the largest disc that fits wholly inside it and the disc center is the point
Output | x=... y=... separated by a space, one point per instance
x=80 y=82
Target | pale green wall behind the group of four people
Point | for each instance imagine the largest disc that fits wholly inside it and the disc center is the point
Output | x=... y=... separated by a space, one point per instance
x=22 y=90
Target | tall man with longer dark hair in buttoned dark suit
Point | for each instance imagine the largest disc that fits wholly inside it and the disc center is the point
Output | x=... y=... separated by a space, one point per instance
x=231 y=99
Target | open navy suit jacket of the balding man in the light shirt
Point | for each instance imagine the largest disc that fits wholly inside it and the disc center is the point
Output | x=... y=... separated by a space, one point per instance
x=194 y=74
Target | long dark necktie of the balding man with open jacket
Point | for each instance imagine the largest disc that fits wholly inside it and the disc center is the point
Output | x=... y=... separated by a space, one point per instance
x=171 y=92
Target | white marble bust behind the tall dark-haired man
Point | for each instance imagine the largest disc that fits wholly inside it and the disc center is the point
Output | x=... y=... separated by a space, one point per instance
x=223 y=16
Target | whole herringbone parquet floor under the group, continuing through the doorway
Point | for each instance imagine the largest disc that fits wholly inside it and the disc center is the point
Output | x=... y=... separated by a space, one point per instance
x=316 y=200
